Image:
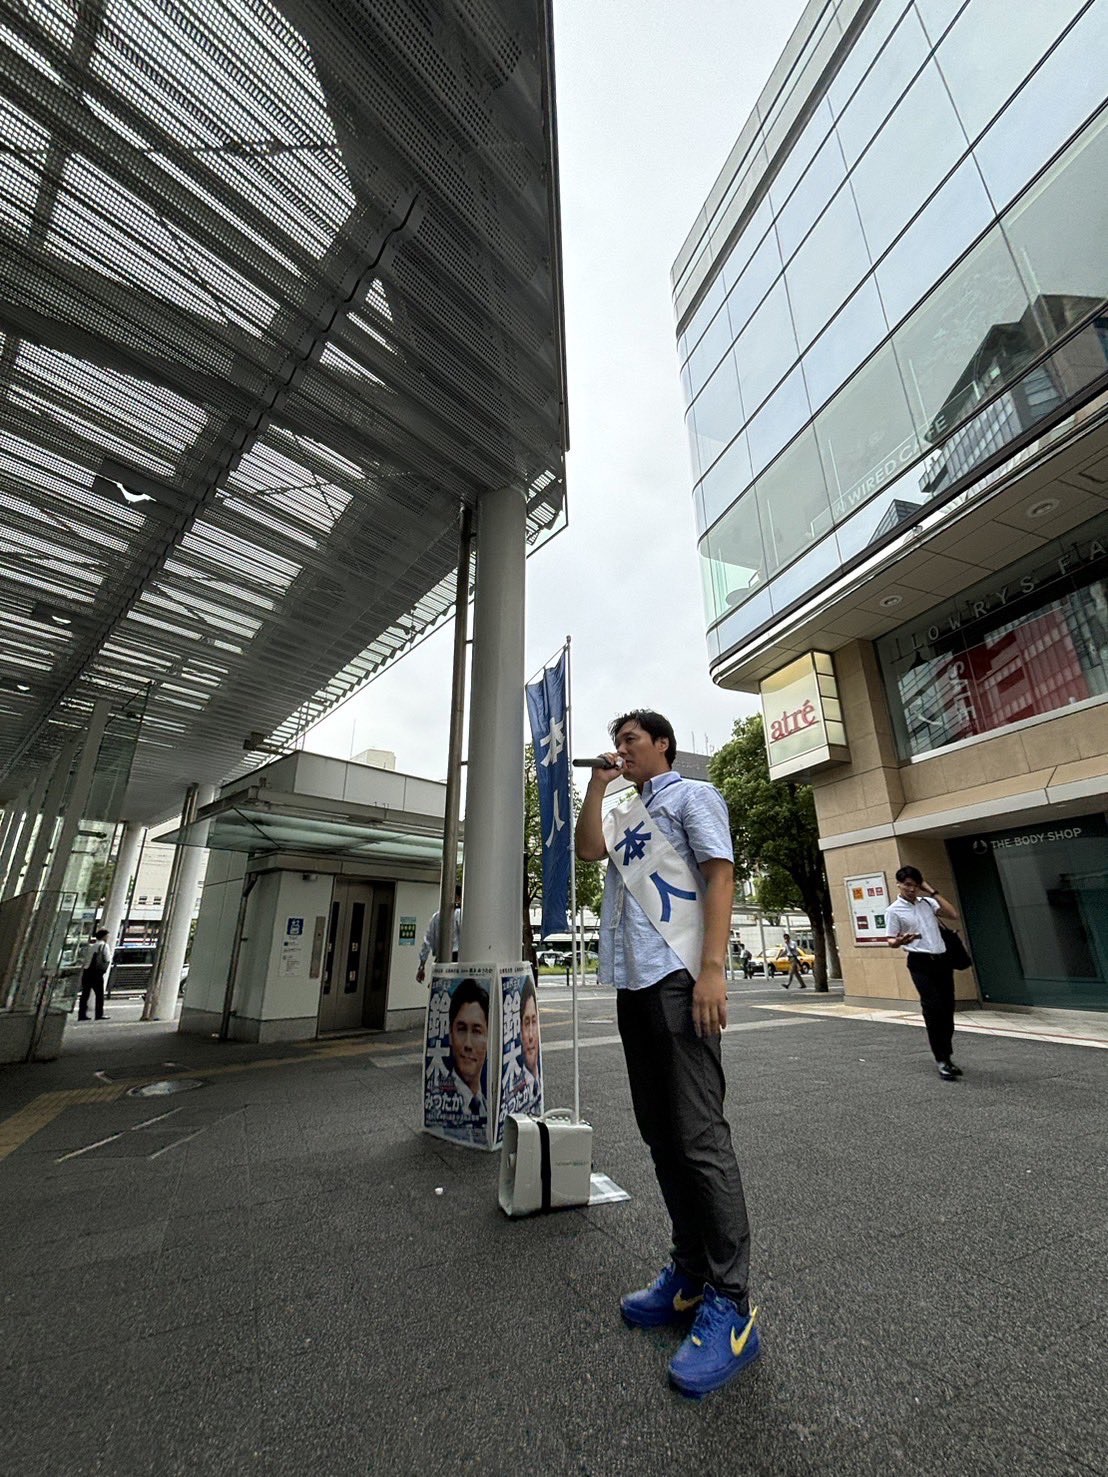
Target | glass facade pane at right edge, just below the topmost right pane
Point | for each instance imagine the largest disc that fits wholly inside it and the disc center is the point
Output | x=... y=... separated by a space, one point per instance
x=1061 y=95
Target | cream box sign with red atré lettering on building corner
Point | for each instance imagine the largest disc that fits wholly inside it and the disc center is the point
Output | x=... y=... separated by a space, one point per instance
x=803 y=717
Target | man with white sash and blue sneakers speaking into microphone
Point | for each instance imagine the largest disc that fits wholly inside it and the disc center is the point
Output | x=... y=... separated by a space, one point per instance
x=664 y=930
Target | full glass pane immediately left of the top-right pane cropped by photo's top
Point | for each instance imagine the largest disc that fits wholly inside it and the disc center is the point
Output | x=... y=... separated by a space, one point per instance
x=920 y=144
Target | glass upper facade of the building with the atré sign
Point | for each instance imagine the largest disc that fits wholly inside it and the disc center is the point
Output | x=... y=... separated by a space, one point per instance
x=900 y=278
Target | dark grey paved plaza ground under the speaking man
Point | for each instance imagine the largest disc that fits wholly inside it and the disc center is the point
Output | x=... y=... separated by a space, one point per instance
x=262 y=1277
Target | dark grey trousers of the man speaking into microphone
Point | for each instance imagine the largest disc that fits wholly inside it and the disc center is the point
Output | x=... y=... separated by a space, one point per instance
x=677 y=1091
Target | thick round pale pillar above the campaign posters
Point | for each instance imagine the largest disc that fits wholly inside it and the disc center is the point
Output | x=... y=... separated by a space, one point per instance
x=493 y=900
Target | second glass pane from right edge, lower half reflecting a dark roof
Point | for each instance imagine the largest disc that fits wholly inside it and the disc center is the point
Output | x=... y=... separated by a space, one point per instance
x=970 y=336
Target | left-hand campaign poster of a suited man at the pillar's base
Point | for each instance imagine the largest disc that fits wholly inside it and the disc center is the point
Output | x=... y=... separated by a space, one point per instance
x=460 y=1057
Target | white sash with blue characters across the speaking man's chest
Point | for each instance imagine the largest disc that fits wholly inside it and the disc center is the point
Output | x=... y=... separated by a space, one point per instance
x=660 y=880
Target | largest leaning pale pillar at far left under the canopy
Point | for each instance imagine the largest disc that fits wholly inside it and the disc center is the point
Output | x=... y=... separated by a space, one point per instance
x=36 y=965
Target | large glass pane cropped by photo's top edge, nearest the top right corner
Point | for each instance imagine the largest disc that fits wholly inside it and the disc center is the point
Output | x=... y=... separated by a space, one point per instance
x=992 y=48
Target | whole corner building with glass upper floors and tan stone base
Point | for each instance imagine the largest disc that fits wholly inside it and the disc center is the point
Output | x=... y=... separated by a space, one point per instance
x=893 y=332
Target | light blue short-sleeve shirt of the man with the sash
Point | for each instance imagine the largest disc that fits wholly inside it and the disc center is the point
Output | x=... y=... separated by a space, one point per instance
x=692 y=816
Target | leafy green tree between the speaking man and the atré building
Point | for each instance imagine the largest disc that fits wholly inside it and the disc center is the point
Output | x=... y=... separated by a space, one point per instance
x=773 y=826
